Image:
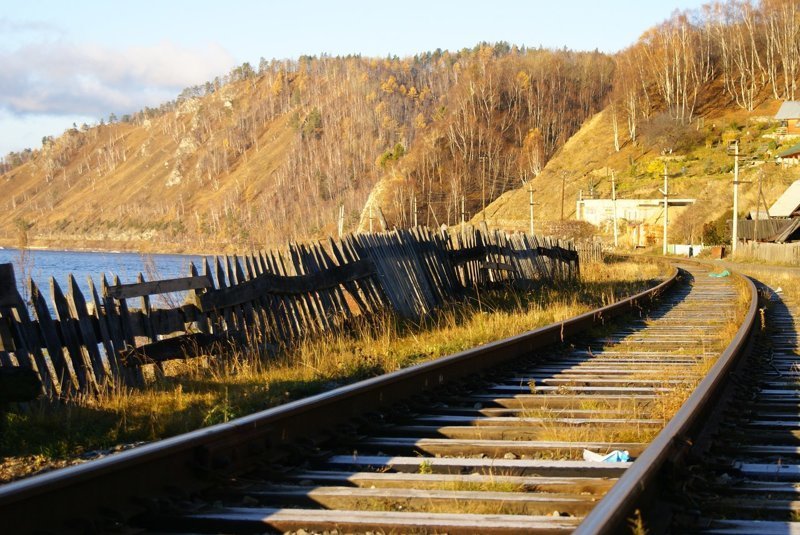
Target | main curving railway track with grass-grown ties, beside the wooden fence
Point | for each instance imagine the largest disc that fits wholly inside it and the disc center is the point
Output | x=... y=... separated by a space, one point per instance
x=488 y=441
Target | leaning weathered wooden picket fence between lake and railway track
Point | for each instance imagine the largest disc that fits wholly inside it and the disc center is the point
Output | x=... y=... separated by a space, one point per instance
x=262 y=299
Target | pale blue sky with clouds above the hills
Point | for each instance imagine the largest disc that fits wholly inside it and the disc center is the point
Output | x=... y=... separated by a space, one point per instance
x=65 y=62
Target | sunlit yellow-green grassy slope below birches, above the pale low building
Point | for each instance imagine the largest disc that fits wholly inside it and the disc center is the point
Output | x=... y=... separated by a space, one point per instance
x=702 y=171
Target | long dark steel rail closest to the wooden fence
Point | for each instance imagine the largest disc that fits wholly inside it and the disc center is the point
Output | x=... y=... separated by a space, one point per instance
x=122 y=483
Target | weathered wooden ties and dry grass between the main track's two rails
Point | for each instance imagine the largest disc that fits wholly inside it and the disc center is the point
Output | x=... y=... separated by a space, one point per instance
x=502 y=456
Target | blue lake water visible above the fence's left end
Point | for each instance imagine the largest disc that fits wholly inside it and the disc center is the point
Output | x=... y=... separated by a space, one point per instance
x=41 y=265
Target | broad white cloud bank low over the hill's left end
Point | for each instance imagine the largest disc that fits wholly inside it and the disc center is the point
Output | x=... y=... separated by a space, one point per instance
x=63 y=78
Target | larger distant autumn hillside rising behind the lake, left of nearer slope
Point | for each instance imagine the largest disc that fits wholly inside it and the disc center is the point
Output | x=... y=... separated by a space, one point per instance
x=269 y=154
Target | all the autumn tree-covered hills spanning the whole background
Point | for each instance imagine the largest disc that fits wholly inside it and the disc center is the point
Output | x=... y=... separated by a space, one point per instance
x=271 y=153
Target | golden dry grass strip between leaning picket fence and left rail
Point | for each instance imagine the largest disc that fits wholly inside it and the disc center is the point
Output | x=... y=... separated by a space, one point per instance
x=206 y=391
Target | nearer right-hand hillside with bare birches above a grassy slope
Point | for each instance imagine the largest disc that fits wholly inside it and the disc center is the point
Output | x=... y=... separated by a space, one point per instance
x=684 y=91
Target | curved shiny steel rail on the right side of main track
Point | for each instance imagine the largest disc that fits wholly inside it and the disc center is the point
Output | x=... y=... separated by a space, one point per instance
x=614 y=511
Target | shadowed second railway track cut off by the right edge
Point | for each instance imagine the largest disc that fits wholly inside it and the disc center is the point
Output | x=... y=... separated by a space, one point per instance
x=748 y=480
